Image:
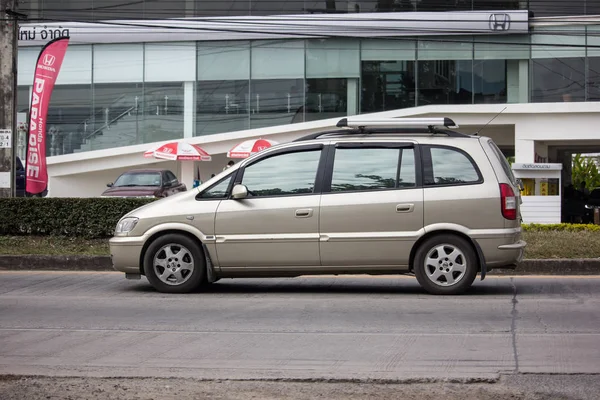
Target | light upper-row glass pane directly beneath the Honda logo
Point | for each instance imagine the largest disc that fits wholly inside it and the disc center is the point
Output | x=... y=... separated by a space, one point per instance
x=506 y=47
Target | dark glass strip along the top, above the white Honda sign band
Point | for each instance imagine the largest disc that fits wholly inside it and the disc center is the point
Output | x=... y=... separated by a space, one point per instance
x=152 y=9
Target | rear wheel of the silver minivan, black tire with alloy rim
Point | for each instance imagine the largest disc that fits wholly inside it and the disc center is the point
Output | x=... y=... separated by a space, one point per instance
x=442 y=273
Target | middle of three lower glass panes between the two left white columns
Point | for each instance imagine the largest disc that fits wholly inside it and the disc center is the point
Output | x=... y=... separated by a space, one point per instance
x=276 y=102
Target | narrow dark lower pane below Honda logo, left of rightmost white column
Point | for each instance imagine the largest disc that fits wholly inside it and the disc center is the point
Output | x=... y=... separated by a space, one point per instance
x=489 y=78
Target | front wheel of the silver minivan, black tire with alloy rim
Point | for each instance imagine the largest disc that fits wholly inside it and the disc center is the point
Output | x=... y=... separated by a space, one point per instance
x=165 y=279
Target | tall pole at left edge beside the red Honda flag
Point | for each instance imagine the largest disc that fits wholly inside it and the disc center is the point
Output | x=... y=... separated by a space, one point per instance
x=8 y=94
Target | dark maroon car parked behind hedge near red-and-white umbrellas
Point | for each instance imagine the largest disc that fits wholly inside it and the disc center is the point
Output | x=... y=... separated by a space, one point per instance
x=145 y=183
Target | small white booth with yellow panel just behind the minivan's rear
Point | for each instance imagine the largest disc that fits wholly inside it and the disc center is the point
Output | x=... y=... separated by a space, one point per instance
x=541 y=192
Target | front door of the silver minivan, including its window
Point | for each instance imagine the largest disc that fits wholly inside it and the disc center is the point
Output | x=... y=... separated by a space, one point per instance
x=277 y=225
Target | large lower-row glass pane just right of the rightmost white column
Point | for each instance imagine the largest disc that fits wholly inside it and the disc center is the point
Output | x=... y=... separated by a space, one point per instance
x=558 y=80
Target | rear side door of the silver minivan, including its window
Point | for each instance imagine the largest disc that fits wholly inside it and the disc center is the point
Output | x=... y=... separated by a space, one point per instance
x=372 y=205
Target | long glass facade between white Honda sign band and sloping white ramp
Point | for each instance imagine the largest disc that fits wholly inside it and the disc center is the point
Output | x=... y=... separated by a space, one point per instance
x=113 y=95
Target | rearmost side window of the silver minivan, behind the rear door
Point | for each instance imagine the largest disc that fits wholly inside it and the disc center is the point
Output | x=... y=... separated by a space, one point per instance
x=448 y=166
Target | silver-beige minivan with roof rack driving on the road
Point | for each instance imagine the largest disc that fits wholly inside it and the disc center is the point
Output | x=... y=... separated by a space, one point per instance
x=391 y=196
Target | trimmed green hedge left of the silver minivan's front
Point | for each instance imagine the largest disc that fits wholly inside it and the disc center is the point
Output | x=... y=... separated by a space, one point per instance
x=75 y=217
